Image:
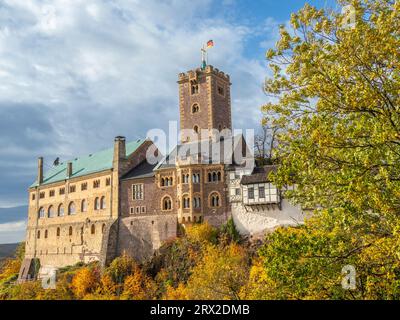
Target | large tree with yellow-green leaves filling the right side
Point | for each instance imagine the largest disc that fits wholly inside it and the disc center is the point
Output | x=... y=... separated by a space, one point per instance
x=336 y=92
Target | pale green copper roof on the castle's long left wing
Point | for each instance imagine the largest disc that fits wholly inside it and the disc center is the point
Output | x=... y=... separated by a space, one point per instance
x=92 y=163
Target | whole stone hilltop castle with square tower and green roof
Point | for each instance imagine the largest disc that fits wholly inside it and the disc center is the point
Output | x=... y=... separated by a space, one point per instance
x=115 y=201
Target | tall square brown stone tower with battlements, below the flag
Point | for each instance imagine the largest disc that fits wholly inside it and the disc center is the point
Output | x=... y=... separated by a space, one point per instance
x=204 y=103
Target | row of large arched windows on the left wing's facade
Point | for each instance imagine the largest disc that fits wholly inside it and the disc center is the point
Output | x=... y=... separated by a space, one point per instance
x=53 y=211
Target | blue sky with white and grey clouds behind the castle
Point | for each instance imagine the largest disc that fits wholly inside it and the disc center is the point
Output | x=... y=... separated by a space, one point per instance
x=76 y=73
